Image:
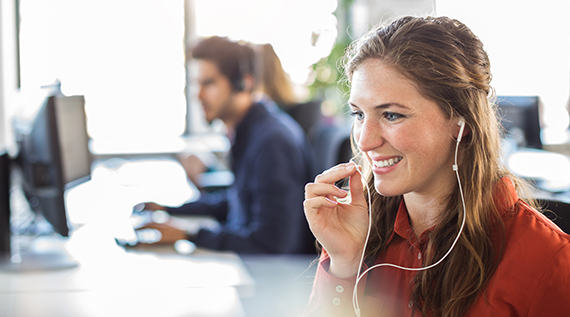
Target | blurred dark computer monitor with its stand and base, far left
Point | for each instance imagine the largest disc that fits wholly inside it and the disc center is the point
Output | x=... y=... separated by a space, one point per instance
x=52 y=156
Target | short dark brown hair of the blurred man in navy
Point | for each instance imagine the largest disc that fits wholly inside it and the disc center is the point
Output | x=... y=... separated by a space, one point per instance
x=234 y=60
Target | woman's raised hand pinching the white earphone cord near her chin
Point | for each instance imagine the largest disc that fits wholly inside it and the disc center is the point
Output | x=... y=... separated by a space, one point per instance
x=340 y=227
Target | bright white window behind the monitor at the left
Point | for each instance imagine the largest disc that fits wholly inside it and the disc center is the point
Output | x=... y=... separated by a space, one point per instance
x=126 y=57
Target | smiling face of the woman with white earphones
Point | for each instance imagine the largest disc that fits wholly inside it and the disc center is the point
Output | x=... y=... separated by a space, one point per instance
x=406 y=138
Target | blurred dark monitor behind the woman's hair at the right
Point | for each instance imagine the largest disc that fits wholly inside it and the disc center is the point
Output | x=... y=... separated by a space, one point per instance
x=521 y=120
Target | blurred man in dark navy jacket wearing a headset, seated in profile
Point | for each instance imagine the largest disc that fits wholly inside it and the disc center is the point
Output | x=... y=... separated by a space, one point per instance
x=271 y=158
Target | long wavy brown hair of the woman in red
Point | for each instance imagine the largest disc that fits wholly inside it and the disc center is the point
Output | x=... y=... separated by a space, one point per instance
x=449 y=66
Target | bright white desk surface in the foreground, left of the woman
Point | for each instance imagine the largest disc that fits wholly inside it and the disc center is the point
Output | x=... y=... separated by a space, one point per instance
x=156 y=281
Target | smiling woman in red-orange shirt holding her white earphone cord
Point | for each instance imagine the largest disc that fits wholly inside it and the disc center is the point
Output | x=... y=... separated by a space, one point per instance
x=420 y=95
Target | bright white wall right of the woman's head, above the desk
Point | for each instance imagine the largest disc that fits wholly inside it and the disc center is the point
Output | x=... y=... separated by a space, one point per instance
x=528 y=42
